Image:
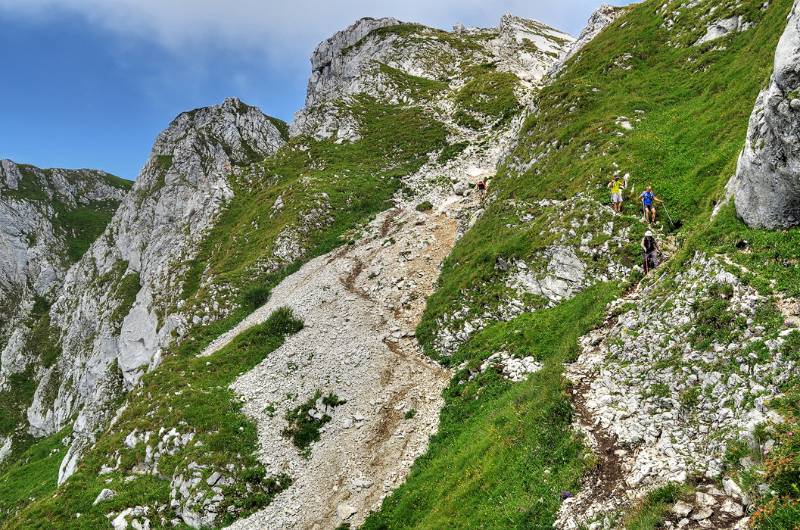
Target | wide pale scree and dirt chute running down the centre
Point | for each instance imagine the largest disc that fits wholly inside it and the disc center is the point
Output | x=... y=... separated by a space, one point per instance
x=360 y=305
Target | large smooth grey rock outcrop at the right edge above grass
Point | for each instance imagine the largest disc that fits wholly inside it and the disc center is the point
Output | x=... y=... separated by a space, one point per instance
x=766 y=187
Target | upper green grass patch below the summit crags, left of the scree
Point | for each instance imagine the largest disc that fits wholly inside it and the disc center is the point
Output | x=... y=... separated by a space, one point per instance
x=327 y=189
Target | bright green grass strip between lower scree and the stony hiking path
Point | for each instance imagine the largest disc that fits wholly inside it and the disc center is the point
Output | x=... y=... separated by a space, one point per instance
x=504 y=452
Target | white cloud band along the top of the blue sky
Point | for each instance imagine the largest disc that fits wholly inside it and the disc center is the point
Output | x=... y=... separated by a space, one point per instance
x=281 y=29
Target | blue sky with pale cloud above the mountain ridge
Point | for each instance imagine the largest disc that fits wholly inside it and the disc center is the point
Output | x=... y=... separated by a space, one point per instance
x=90 y=83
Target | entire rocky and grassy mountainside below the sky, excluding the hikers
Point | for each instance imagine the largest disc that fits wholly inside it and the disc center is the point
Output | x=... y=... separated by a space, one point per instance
x=414 y=306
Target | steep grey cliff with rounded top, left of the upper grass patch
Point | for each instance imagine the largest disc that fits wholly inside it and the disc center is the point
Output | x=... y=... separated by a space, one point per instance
x=119 y=304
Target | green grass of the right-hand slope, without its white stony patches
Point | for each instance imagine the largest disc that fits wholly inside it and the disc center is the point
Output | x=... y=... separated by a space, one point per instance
x=482 y=469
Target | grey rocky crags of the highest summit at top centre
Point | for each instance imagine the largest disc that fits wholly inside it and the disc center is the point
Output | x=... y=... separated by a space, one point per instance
x=365 y=59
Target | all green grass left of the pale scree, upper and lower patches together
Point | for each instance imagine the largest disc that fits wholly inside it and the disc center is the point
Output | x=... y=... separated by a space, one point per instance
x=359 y=178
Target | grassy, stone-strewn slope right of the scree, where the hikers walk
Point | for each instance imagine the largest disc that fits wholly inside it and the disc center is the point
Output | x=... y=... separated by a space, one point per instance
x=641 y=98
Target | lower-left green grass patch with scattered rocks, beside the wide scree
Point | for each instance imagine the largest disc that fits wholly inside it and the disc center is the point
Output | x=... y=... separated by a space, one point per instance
x=187 y=392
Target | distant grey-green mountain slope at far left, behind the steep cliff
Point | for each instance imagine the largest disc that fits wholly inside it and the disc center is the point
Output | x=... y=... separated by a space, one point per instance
x=48 y=218
